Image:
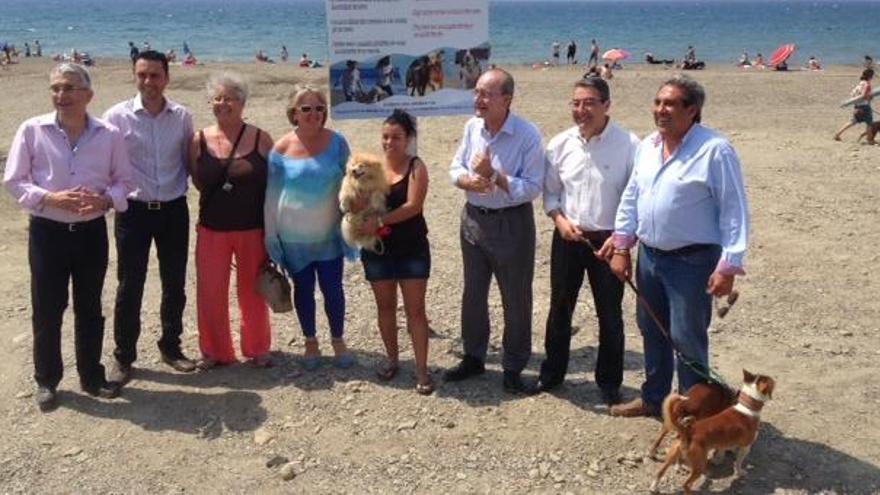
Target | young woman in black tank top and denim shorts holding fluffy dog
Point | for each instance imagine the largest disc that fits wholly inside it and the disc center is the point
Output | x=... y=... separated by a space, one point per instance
x=406 y=260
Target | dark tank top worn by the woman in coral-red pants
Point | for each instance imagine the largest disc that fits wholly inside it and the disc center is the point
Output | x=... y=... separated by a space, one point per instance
x=240 y=208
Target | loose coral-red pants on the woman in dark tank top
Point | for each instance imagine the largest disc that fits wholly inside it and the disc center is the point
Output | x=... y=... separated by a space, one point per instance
x=214 y=250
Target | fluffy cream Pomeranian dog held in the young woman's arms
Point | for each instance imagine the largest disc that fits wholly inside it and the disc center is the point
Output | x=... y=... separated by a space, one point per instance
x=364 y=178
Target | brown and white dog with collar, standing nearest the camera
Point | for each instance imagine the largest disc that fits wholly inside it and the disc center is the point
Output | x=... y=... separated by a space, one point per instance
x=735 y=428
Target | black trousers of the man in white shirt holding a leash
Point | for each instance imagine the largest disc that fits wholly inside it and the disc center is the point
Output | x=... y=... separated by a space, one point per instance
x=568 y=262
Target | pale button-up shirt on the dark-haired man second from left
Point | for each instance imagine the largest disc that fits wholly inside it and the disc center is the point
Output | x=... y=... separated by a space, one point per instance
x=158 y=147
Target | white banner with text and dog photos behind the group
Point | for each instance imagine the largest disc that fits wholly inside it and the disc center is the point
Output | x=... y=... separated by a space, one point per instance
x=422 y=56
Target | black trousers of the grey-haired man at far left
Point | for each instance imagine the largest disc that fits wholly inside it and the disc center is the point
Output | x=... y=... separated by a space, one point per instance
x=59 y=253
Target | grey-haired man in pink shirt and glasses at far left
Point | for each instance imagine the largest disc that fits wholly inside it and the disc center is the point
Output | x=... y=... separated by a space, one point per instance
x=67 y=169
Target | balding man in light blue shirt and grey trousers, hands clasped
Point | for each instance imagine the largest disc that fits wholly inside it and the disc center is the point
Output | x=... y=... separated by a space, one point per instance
x=500 y=166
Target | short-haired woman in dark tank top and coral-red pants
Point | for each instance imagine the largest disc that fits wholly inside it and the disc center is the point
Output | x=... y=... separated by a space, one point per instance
x=228 y=167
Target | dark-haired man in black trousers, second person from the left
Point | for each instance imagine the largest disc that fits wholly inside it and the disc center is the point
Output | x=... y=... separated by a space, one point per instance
x=158 y=132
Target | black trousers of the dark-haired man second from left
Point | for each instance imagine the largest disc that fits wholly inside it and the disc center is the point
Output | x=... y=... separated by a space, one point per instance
x=136 y=229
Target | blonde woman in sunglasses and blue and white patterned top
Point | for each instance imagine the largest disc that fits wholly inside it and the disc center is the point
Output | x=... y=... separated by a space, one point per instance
x=302 y=218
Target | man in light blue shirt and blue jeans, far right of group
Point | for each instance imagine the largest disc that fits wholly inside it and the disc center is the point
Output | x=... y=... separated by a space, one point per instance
x=685 y=203
